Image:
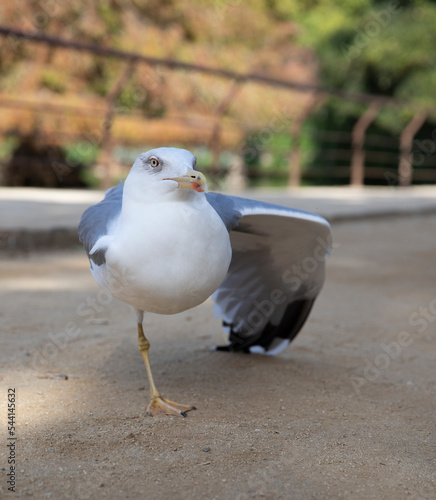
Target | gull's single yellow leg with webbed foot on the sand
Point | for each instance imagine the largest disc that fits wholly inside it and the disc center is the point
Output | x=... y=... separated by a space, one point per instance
x=158 y=405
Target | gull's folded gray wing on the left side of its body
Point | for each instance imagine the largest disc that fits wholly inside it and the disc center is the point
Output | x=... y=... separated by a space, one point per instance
x=96 y=222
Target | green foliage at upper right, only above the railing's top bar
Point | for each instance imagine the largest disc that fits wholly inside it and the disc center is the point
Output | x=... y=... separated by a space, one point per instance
x=377 y=47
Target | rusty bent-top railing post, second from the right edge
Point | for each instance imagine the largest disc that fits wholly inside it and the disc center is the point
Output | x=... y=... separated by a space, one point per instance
x=357 y=174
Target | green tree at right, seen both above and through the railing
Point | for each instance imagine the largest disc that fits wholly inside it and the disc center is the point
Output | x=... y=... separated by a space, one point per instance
x=378 y=47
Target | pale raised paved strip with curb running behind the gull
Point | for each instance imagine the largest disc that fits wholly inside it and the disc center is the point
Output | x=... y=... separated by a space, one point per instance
x=32 y=218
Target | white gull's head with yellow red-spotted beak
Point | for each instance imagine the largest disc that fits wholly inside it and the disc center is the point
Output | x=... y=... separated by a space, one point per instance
x=164 y=170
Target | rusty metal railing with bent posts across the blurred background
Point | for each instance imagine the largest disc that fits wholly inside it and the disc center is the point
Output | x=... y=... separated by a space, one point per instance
x=360 y=157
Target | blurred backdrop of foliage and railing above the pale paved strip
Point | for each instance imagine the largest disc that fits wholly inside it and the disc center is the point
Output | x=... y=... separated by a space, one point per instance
x=265 y=93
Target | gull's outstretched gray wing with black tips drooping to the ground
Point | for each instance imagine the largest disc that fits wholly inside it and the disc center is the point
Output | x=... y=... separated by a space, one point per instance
x=276 y=272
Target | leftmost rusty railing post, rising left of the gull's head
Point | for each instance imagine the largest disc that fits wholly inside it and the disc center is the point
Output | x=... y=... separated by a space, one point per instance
x=106 y=142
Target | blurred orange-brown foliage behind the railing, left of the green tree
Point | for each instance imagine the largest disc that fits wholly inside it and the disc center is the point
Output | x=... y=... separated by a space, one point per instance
x=241 y=36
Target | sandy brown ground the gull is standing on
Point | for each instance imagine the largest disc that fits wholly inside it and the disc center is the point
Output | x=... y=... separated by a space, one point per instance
x=347 y=411
